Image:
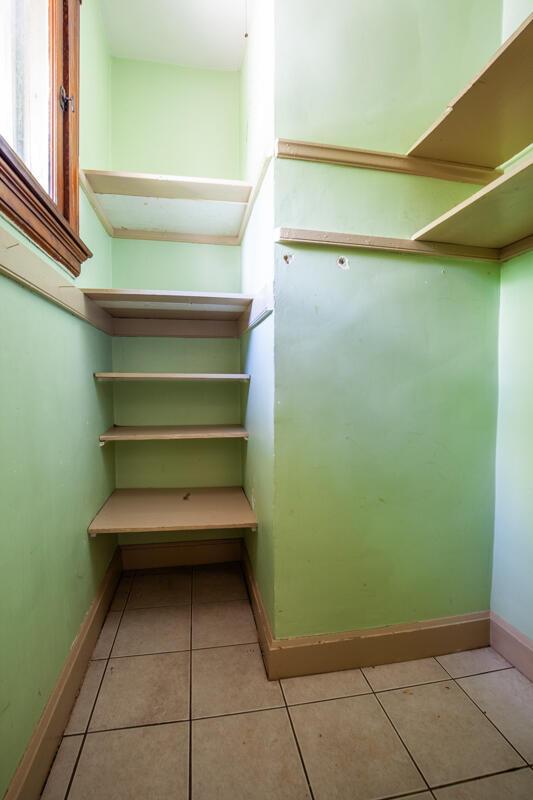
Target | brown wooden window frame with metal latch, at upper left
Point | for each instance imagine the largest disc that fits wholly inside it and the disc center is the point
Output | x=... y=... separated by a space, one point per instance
x=53 y=224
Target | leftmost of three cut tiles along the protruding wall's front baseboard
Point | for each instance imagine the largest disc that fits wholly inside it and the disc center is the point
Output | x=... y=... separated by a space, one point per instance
x=310 y=688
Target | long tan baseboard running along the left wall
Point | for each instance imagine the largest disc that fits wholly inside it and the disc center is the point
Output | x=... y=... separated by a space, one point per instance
x=33 y=768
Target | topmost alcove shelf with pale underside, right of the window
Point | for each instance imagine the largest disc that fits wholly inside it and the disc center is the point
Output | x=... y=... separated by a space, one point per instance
x=133 y=205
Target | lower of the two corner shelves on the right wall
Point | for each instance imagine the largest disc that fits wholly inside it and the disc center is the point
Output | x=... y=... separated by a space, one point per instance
x=497 y=216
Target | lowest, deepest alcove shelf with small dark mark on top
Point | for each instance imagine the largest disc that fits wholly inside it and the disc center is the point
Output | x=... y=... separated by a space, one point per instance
x=155 y=510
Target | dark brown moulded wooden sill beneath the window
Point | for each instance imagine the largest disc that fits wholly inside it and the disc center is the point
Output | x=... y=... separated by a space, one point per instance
x=29 y=207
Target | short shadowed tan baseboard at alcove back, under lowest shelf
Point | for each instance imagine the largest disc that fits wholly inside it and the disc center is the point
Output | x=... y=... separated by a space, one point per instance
x=180 y=554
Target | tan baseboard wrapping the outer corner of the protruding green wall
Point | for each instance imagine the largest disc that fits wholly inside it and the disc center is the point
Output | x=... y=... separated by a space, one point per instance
x=306 y=655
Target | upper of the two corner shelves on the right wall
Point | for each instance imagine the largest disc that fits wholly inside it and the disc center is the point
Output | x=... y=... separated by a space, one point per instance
x=492 y=119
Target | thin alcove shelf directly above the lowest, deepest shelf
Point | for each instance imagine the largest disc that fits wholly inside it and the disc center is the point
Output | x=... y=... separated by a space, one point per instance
x=147 y=433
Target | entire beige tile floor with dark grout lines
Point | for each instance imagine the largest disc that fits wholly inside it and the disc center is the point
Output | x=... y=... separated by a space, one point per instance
x=176 y=706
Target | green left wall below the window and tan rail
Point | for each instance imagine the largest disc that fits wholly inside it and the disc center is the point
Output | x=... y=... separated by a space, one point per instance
x=53 y=479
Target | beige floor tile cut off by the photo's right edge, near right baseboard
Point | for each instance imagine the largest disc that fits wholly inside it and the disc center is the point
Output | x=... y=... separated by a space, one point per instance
x=507 y=699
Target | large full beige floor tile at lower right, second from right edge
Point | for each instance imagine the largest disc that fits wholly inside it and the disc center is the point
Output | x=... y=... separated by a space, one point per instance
x=446 y=734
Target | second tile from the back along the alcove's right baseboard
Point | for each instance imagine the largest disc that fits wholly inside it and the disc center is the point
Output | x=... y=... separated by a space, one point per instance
x=217 y=624
